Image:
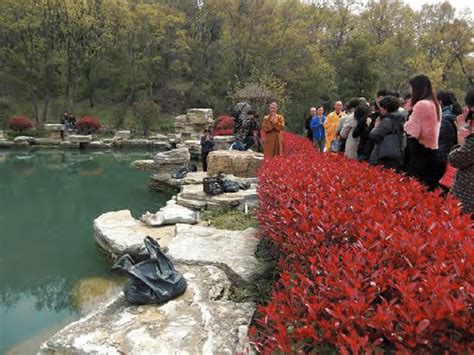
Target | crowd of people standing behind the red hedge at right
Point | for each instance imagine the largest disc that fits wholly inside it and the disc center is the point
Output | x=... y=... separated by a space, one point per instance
x=425 y=135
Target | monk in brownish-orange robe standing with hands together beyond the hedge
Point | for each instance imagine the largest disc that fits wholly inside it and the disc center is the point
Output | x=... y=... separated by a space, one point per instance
x=273 y=124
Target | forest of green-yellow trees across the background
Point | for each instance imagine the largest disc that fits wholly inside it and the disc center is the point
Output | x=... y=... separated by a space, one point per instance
x=60 y=55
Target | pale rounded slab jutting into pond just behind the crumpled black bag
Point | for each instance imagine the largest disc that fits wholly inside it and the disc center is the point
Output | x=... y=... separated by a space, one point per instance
x=118 y=233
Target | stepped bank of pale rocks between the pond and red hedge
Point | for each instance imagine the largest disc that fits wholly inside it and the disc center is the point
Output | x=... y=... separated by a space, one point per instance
x=205 y=319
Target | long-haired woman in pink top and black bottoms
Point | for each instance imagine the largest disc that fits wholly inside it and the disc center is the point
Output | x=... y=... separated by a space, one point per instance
x=422 y=129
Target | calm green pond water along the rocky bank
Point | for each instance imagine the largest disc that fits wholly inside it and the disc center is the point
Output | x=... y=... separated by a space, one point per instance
x=48 y=201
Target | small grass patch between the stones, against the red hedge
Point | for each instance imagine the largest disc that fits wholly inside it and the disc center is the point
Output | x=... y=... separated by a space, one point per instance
x=230 y=220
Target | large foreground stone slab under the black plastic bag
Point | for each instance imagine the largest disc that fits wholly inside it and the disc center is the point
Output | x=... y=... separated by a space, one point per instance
x=201 y=321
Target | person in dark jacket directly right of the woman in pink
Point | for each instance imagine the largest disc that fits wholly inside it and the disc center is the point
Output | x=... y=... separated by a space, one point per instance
x=447 y=133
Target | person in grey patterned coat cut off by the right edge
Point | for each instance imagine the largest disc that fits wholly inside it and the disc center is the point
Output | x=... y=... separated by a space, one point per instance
x=462 y=157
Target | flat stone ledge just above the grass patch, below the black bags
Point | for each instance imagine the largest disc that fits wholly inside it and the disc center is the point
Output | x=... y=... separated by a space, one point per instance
x=193 y=196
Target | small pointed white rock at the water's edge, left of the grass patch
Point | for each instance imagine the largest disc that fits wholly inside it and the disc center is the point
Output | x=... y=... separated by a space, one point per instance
x=170 y=214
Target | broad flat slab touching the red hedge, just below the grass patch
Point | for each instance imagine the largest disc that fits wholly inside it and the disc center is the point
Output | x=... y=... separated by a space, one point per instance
x=233 y=251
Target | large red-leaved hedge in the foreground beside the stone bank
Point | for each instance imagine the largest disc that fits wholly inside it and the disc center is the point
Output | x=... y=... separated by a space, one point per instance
x=369 y=261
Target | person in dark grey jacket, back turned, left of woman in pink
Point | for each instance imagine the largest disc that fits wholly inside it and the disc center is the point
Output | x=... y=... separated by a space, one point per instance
x=390 y=122
